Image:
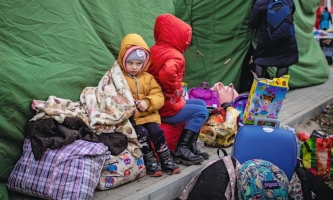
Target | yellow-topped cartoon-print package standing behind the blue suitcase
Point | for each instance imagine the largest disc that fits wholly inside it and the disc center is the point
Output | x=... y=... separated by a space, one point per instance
x=265 y=98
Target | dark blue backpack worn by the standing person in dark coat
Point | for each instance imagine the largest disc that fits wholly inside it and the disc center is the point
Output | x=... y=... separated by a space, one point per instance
x=279 y=20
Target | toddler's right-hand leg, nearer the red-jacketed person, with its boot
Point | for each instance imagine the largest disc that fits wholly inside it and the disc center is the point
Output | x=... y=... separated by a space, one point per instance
x=161 y=147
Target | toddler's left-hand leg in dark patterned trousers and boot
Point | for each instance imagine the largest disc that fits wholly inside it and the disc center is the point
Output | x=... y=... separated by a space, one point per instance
x=152 y=164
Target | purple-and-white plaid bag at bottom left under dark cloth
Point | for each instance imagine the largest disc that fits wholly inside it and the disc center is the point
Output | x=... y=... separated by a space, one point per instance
x=71 y=172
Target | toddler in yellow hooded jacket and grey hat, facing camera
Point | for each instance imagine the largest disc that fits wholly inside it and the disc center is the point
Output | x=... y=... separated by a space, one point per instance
x=134 y=59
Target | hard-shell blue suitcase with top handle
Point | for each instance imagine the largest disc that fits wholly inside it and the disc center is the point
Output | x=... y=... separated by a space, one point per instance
x=273 y=144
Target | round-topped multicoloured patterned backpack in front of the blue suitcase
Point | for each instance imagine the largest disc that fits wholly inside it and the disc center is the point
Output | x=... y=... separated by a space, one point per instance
x=260 y=179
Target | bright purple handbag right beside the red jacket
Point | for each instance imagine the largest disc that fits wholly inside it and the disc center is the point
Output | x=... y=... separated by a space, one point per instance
x=204 y=93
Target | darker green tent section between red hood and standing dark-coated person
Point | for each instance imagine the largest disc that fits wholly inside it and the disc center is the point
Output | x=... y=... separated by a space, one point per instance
x=221 y=32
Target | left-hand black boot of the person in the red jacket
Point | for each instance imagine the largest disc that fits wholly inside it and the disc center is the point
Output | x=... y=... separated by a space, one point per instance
x=182 y=154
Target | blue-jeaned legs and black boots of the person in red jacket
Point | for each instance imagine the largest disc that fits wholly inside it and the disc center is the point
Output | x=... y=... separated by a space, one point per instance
x=195 y=114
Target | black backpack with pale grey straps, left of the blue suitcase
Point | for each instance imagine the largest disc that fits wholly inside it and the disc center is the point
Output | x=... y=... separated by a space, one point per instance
x=217 y=180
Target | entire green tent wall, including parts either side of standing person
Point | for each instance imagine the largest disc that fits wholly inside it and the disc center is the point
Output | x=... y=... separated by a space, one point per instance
x=59 y=47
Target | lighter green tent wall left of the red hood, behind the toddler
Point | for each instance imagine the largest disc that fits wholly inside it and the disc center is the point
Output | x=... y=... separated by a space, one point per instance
x=58 y=48
